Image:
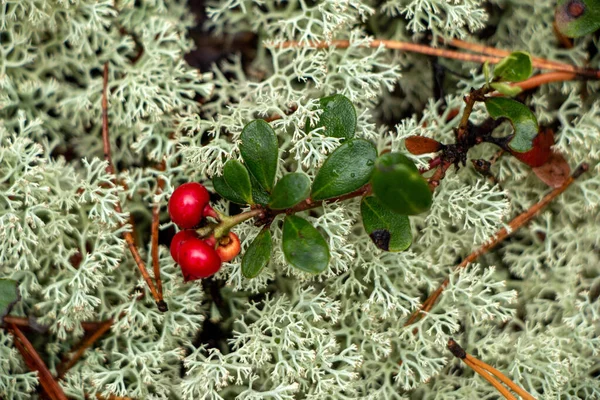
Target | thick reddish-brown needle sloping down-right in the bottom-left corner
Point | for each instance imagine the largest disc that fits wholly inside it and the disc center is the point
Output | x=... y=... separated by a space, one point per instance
x=35 y=363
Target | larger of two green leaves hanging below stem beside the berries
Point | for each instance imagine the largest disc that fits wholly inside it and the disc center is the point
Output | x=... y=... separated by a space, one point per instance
x=303 y=245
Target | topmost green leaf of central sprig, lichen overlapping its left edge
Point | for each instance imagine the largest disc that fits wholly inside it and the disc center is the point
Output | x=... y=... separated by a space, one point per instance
x=338 y=117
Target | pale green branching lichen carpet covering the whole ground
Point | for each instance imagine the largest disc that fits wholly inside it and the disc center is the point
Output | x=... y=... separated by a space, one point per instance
x=530 y=308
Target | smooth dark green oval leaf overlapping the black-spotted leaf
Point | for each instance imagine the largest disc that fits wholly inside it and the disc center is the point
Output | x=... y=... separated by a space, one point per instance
x=397 y=183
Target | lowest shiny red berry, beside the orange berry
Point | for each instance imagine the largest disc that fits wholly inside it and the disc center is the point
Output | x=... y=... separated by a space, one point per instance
x=198 y=260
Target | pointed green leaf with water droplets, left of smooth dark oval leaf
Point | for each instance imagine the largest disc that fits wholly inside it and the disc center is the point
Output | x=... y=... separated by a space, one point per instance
x=345 y=170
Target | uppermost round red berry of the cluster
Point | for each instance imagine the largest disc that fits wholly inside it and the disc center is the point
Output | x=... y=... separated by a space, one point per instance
x=186 y=205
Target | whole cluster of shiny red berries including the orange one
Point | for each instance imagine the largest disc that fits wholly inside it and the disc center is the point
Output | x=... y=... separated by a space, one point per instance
x=198 y=257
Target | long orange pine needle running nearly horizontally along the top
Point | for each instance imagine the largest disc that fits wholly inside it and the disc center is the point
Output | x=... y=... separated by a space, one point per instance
x=444 y=53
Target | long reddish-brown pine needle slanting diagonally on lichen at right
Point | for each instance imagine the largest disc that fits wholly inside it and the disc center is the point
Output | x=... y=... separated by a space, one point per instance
x=500 y=236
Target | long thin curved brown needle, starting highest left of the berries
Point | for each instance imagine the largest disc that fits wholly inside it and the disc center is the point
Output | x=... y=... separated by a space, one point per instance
x=111 y=170
